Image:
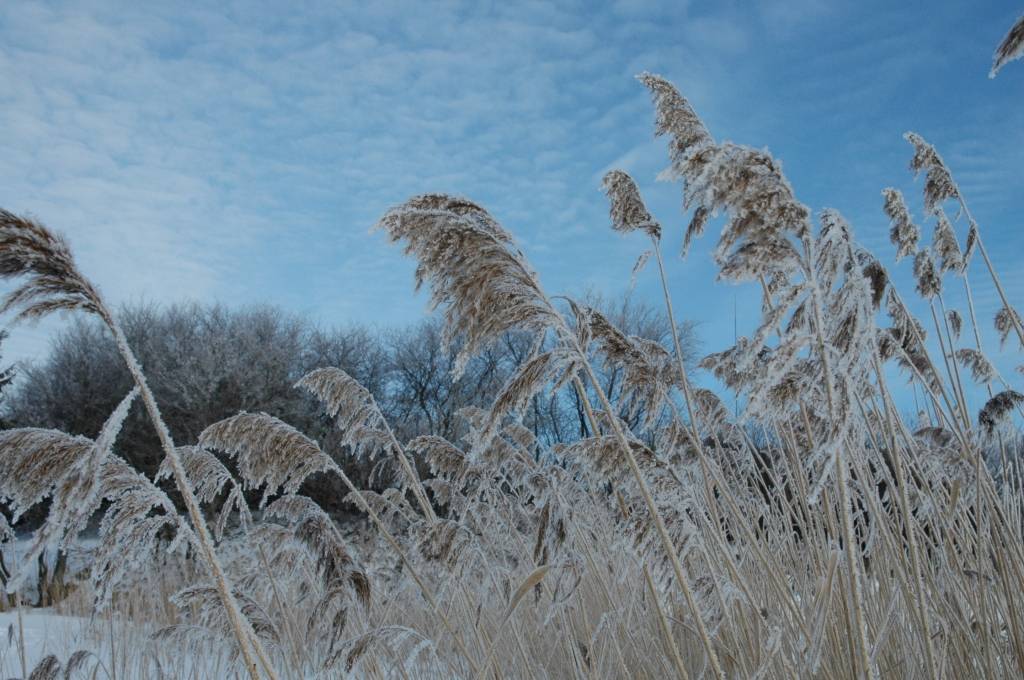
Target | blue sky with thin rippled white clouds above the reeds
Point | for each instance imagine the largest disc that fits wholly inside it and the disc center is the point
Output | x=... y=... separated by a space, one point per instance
x=242 y=152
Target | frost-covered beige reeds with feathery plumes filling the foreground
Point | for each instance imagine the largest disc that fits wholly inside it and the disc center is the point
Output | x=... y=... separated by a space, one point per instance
x=822 y=534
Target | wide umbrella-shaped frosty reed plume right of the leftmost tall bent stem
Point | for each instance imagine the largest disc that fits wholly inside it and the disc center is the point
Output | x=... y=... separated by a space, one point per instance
x=271 y=453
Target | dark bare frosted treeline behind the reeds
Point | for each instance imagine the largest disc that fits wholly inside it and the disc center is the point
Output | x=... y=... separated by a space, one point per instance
x=206 y=363
